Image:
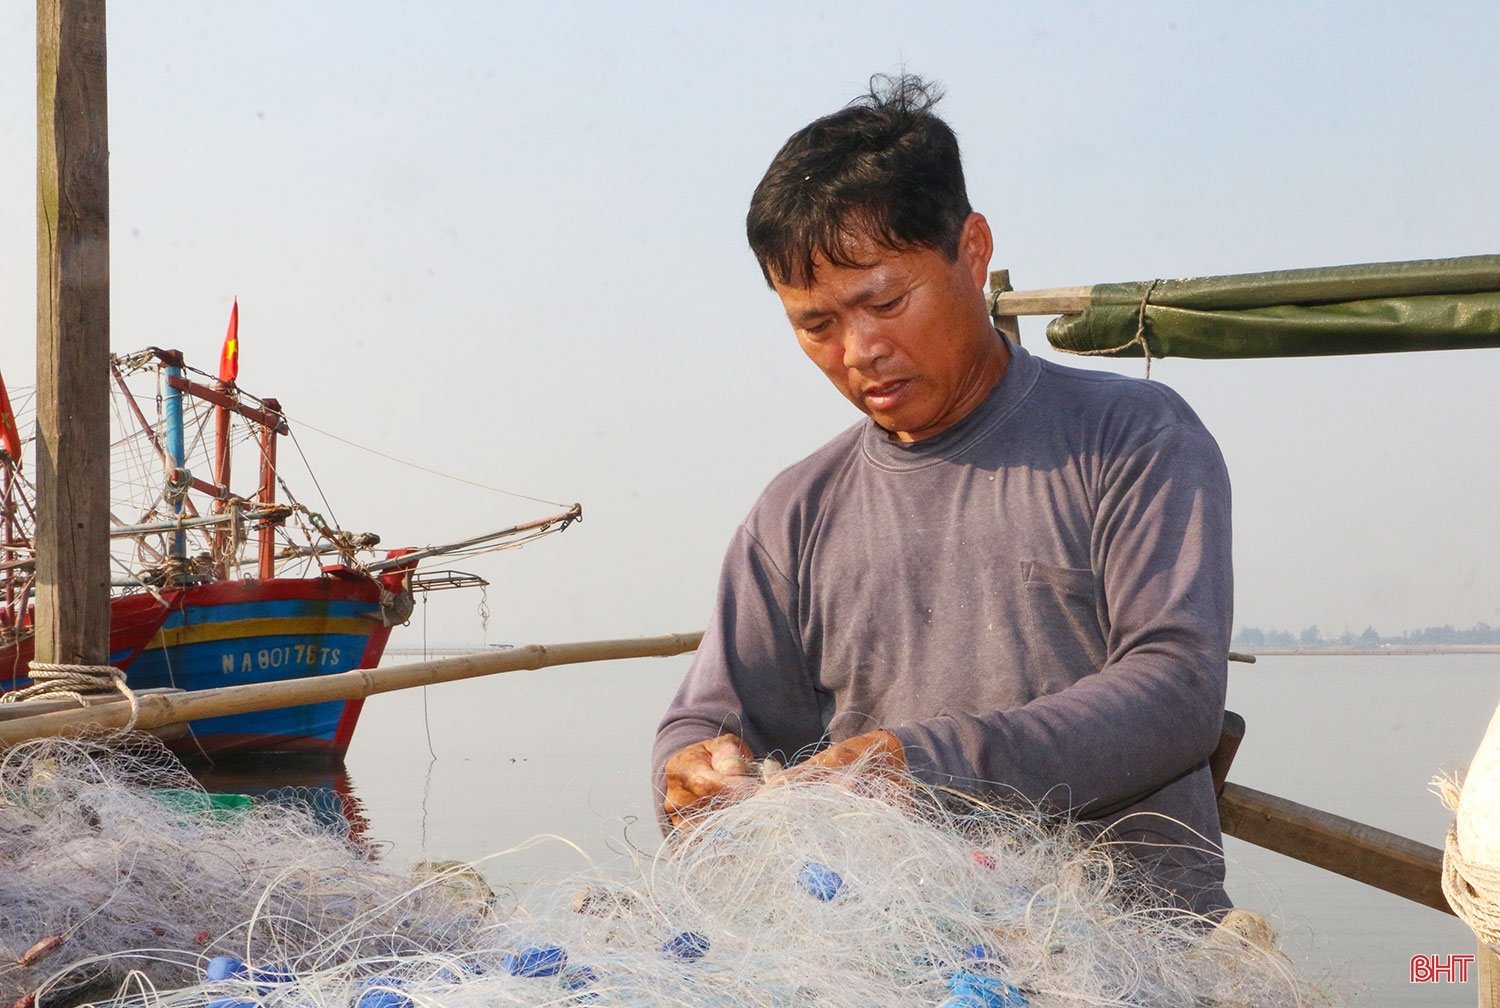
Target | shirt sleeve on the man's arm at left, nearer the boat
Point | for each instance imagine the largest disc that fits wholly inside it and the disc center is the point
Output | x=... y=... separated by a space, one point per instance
x=749 y=676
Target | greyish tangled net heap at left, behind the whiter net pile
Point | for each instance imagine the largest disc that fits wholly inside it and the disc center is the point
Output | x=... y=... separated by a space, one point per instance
x=113 y=860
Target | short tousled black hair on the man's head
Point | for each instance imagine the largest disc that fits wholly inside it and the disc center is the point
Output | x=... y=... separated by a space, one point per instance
x=884 y=167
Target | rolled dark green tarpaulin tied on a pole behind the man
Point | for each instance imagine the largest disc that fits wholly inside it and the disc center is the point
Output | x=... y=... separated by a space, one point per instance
x=1345 y=310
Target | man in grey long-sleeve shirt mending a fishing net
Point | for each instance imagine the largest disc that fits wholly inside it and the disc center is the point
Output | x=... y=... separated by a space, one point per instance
x=1012 y=577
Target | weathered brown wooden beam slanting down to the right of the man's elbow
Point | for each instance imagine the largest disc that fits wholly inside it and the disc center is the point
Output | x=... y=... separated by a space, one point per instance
x=1385 y=860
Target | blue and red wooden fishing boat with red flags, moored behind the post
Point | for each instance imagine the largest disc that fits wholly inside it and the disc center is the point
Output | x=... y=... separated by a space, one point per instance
x=214 y=587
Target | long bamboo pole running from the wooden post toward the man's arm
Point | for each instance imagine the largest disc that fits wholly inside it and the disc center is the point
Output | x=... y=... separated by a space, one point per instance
x=158 y=710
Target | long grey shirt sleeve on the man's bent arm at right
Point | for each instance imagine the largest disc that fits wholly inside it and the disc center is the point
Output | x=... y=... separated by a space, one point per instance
x=1154 y=712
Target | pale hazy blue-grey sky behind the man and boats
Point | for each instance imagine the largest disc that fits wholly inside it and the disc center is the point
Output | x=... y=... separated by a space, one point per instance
x=505 y=241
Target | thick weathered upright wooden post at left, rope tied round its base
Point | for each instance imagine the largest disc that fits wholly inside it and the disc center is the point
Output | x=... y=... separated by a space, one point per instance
x=73 y=334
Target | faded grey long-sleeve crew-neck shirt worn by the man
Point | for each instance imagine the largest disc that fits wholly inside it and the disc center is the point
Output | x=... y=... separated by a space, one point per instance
x=1036 y=602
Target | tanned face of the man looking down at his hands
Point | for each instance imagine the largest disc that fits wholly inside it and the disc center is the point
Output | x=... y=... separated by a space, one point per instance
x=905 y=338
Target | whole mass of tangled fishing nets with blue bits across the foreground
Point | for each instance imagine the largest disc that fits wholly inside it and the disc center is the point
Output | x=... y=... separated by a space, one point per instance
x=847 y=892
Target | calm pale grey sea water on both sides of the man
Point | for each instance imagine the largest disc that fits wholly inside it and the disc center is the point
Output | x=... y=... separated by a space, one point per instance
x=548 y=770
